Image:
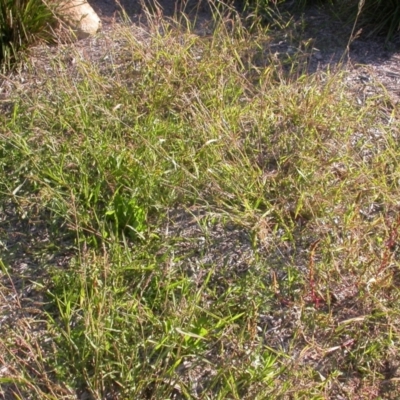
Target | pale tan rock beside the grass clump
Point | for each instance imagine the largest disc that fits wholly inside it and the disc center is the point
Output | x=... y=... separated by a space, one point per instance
x=80 y=17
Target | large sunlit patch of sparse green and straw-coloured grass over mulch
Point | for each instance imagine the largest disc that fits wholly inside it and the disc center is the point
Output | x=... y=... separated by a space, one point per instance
x=190 y=217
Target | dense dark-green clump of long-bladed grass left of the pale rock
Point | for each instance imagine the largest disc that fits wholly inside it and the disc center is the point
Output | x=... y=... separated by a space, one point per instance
x=22 y=23
